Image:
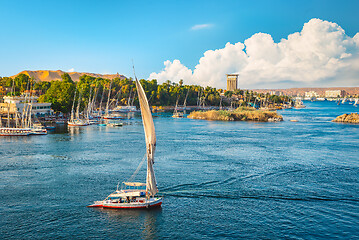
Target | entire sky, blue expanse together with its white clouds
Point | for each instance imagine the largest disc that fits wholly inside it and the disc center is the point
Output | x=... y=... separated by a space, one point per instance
x=270 y=44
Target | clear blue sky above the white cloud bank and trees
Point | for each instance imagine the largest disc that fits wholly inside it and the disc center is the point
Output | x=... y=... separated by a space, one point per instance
x=104 y=36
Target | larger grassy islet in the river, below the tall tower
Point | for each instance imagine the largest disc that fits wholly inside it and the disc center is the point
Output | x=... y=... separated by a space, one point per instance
x=239 y=114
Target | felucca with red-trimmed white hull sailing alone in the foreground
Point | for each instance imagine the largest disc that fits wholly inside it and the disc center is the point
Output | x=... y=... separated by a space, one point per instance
x=137 y=194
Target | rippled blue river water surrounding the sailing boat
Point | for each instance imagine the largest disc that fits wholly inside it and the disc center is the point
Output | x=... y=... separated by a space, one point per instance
x=220 y=180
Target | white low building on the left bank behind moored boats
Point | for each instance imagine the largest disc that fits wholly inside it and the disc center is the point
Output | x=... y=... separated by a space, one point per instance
x=18 y=103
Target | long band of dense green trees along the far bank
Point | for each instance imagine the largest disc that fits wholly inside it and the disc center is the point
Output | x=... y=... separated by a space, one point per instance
x=61 y=93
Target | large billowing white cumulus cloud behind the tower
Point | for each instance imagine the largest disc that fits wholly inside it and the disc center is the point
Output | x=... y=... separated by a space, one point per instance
x=321 y=54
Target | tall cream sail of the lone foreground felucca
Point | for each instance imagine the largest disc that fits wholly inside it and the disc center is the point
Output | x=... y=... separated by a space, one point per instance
x=150 y=135
